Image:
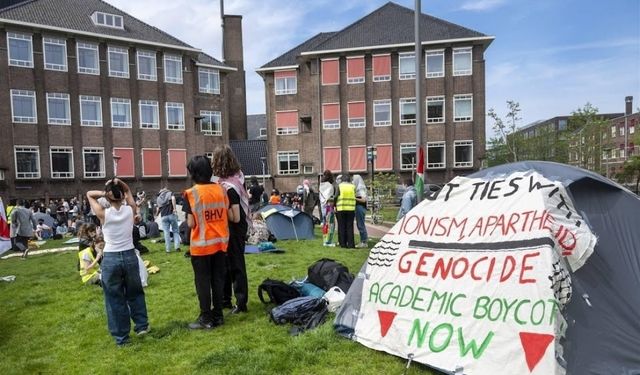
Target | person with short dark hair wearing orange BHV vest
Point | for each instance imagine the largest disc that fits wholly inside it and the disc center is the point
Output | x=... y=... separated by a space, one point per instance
x=206 y=206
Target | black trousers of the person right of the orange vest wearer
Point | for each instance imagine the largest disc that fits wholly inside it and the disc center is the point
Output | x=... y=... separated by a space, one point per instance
x=236 y=273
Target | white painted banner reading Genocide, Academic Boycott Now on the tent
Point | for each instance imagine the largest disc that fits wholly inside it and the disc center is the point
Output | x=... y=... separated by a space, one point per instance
x=476 y=278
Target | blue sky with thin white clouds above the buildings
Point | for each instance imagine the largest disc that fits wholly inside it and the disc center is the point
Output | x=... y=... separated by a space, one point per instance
x=551 y=56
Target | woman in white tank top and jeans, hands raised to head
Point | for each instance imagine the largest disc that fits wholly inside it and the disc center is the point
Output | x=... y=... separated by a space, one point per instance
x=123 y=294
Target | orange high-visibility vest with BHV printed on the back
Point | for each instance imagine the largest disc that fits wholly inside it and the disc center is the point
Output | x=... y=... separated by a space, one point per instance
x=209 y=205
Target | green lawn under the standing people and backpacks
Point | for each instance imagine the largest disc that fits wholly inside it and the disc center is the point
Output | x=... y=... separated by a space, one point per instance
x=51 y=323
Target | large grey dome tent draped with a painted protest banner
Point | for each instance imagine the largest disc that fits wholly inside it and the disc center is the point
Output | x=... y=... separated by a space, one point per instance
x=529 y=267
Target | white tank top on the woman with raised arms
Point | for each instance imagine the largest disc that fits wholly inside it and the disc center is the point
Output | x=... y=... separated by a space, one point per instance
x=118 y=229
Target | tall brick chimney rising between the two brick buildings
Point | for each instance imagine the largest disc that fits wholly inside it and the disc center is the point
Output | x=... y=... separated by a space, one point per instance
x=236 y=90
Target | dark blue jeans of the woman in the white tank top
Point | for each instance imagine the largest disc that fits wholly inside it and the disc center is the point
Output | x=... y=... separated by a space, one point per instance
x=123 y=294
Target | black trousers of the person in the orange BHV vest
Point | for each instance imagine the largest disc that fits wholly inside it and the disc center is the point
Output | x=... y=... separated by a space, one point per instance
x=209 y=273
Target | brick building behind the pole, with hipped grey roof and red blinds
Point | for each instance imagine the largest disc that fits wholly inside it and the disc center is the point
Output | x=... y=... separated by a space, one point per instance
x=338 y=93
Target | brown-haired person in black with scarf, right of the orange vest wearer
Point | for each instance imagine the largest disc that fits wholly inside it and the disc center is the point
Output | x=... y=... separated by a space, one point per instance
x=226 y=167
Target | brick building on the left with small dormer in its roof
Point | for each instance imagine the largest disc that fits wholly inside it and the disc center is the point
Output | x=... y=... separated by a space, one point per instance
x=91 y=91
